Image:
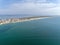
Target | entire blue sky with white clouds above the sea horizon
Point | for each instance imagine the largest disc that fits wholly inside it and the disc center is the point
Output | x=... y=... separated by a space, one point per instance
x=31 y=7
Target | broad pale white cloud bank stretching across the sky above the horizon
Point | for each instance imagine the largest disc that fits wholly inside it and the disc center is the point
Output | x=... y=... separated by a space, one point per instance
x=34 y=7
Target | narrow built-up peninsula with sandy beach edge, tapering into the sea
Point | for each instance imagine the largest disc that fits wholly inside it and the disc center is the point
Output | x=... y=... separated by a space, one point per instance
x=14 y=20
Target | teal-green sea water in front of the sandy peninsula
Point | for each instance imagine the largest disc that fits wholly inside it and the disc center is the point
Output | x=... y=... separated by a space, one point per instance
x=37 y=32
